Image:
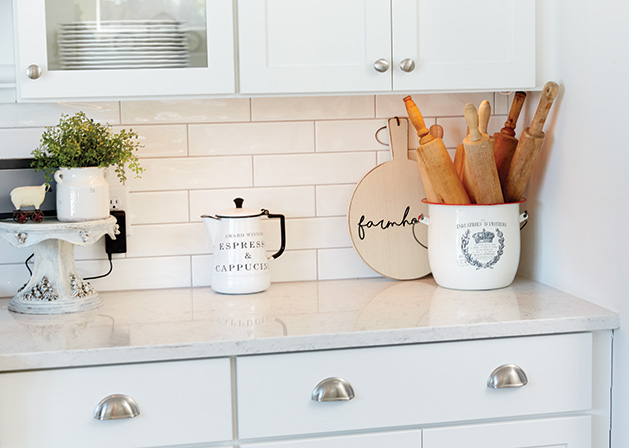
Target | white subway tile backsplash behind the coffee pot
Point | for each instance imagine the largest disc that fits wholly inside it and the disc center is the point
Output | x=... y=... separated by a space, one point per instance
x=301 y=157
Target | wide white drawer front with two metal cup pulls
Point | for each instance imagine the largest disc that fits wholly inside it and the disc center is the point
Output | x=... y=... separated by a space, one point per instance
x=413 y=384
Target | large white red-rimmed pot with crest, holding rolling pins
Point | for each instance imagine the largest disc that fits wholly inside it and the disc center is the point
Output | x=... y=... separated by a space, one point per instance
x=474 y=247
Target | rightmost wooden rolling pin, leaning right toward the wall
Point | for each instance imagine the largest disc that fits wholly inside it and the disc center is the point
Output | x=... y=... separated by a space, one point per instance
x=529 y=147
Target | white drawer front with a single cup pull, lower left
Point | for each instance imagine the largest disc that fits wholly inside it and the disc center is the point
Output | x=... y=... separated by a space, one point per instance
x=179 y=402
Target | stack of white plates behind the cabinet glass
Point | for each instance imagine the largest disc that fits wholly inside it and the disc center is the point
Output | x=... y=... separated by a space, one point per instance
x=122 y=44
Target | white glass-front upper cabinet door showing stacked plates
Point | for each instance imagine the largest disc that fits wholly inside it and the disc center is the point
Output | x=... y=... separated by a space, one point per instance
x=123 y=48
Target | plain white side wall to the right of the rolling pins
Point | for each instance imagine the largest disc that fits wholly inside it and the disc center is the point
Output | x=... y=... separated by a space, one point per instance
x=577 y=238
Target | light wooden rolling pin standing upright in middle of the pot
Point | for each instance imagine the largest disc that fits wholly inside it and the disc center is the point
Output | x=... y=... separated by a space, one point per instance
x=480 y=173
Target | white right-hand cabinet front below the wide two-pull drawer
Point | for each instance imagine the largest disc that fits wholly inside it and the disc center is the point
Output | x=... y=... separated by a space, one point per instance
x=565 y=432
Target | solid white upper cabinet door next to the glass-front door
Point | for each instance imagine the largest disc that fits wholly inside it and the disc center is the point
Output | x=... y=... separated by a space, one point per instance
x=305 y=46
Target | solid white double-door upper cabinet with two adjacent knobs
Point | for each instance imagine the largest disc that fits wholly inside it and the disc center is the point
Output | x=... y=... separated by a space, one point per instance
x=301 y=46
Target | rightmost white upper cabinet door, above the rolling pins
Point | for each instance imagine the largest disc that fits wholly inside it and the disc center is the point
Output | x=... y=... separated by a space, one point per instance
x=463 y=45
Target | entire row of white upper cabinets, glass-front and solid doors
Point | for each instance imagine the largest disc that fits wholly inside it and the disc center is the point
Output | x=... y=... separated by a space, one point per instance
x=122 y=49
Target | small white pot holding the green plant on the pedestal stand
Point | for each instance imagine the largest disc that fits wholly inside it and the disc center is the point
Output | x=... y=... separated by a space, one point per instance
x=82 y=194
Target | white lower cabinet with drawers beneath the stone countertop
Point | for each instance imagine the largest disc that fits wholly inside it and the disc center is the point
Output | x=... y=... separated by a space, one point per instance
x=519 y=392
